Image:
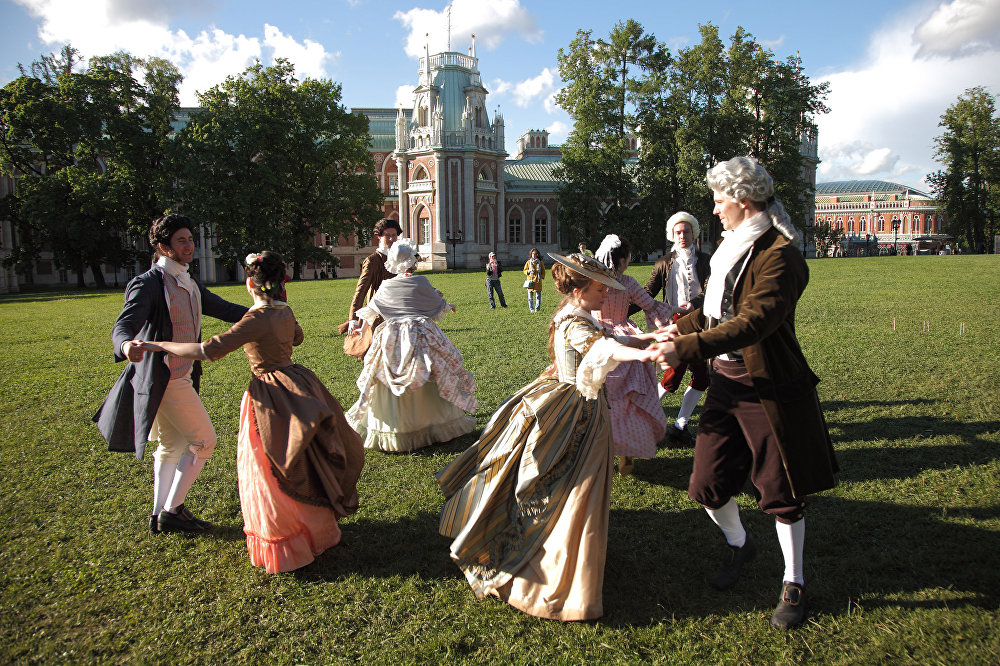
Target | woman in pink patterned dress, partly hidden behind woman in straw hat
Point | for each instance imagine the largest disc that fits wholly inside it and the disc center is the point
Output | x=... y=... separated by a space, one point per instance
x=637 y=420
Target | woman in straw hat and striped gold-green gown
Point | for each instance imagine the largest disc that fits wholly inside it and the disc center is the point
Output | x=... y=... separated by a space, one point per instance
x=527 y=505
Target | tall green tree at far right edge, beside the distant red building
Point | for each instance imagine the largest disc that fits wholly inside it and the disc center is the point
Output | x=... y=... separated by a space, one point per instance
x=968 y=188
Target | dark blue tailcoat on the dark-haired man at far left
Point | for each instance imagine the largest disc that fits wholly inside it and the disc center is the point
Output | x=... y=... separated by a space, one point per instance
x=127 y=414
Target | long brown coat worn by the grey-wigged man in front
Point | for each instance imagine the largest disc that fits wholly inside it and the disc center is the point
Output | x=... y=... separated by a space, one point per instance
x=763 y=328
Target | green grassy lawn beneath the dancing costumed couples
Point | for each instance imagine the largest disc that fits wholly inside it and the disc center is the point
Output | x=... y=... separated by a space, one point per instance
x=902 y=558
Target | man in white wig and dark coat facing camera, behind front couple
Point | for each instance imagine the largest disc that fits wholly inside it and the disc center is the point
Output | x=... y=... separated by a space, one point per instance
x=681 y=275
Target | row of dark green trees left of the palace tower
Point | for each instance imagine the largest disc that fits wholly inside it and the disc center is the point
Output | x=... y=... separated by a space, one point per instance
x=268 y=161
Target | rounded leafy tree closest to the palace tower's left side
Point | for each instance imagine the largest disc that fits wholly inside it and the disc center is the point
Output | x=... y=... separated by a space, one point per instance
x=270 y=162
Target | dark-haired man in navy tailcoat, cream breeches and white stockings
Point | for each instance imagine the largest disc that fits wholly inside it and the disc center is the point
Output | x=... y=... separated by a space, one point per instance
x=156 y=396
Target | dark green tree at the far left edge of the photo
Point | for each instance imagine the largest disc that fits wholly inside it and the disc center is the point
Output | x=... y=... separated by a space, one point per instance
x=87 y=147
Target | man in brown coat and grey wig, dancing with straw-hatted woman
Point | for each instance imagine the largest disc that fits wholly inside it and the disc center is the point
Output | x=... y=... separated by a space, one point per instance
x=762 y=417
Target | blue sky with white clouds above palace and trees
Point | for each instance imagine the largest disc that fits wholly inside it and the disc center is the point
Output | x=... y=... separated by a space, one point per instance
x=894 y=65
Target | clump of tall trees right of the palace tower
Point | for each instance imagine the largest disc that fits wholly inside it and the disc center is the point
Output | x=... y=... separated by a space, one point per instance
x=689 y=109
